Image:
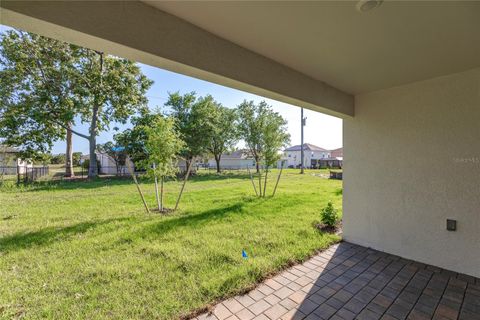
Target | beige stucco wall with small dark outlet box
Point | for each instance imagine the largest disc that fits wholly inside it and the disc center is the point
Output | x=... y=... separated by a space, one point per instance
x=412 y=160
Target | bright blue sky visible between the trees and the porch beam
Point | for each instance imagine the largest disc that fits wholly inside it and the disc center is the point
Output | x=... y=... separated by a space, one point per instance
x=322 y=130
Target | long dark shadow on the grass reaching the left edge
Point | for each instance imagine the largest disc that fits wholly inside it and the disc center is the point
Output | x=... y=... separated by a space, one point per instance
x=48 y=235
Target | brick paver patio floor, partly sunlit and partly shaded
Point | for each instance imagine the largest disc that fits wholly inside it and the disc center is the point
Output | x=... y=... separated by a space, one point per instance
x=353 y=282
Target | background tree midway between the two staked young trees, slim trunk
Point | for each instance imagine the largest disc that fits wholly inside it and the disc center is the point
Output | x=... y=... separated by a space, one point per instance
x=223 y=133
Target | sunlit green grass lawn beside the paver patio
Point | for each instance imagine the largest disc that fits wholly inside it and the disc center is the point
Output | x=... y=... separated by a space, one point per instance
x=88 y=250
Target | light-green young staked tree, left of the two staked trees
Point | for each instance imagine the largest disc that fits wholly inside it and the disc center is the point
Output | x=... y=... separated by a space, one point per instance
x=162 y=146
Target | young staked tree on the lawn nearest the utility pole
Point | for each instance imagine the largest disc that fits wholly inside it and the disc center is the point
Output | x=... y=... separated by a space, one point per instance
x=265 y=133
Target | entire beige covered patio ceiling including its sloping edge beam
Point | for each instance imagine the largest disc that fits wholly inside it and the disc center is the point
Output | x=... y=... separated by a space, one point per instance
x=316 y=55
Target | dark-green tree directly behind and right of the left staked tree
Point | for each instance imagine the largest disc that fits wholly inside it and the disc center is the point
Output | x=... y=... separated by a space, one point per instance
x=192 y=122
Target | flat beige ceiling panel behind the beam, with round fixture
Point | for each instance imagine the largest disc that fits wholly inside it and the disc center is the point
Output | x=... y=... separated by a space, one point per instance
x=396 y=43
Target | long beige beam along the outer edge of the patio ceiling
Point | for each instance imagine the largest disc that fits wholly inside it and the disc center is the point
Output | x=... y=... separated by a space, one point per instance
x=134 y=30
